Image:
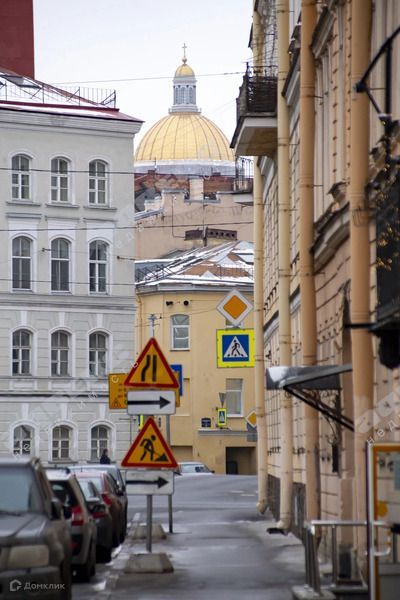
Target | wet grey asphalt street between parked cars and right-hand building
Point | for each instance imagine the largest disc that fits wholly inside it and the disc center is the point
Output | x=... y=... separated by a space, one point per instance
x=219 y=548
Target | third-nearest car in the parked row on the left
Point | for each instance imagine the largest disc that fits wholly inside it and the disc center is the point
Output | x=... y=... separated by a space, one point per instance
x=102 y=517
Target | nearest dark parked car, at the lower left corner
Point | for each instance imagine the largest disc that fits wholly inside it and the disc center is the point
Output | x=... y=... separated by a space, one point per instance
x=35 y=538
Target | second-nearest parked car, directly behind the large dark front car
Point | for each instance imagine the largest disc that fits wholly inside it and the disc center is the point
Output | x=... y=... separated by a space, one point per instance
x=83 y=528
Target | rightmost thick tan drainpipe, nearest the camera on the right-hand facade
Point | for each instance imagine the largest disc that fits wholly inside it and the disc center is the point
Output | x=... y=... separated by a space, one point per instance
x=361 y=342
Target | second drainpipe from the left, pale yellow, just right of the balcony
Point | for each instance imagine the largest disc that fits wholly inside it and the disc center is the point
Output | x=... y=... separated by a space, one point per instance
x=285 y=355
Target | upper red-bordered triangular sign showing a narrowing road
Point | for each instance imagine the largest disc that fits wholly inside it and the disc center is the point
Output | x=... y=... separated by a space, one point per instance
x=151 y=370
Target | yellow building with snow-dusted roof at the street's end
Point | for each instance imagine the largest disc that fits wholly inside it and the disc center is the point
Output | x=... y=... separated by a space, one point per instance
x=180 y=311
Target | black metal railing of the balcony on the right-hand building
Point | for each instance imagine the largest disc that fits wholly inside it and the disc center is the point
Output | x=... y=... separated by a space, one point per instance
x=258 y=93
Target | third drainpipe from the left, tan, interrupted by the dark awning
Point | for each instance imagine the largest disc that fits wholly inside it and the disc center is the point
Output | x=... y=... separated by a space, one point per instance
x=308 y=317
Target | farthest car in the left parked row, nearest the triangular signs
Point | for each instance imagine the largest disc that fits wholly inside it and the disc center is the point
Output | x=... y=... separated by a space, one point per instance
x=105 y=483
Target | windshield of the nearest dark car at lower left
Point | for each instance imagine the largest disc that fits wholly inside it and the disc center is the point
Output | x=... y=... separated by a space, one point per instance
x=19 y=491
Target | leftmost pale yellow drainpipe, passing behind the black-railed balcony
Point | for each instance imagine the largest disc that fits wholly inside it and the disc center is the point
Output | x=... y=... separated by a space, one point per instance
x=259 y=374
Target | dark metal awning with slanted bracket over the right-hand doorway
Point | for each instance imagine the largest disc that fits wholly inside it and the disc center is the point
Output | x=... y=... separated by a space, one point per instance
x=305 y=383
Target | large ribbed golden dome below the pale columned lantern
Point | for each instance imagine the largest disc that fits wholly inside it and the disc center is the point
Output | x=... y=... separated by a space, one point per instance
x=184 y=136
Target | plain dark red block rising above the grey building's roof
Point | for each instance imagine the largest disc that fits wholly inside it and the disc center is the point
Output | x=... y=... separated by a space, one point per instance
x=17 y=51
